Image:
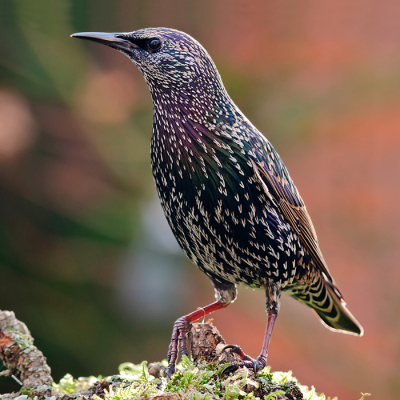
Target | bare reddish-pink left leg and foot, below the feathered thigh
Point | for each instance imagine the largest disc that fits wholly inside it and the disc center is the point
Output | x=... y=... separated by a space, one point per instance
x=181 y=327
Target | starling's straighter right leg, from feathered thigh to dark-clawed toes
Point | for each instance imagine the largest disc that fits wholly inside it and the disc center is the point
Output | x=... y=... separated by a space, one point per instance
x=273 y=293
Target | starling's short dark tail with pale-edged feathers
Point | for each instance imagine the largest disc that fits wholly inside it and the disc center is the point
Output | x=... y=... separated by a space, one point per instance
x=327 y=302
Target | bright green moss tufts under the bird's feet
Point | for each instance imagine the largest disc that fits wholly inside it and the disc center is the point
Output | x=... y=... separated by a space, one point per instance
x=195 y=382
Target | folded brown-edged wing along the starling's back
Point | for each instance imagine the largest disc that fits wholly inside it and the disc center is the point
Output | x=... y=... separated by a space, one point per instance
x=282 y=192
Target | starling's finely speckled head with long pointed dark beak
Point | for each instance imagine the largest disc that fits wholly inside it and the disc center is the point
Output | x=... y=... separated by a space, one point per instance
x=169 y=60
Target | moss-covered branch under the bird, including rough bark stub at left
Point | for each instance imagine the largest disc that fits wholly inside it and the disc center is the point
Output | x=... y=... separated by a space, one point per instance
x=197 y=379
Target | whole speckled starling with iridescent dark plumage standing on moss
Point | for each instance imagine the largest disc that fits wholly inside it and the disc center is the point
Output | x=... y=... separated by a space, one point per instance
x=226 y=193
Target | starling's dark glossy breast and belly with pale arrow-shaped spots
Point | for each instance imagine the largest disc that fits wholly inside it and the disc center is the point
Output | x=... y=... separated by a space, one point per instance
x=218 y=210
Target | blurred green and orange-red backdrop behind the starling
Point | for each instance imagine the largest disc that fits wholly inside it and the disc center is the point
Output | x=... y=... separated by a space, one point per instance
x=87 y=260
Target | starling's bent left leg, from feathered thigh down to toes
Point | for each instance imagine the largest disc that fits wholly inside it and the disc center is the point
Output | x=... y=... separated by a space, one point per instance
x=225 y=292
